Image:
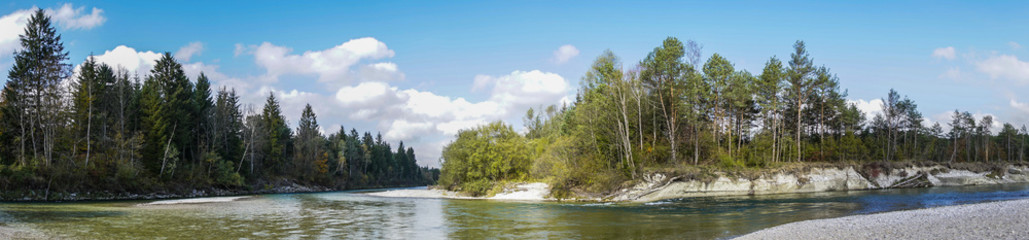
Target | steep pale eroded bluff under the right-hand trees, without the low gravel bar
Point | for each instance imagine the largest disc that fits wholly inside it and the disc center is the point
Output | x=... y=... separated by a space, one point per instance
x=660 y=187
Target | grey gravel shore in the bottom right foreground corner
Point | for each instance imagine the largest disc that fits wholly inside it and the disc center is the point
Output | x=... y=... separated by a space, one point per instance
x=1008 y=220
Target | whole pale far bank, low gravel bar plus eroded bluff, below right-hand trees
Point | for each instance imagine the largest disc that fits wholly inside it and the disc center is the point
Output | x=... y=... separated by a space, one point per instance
x=796 y=179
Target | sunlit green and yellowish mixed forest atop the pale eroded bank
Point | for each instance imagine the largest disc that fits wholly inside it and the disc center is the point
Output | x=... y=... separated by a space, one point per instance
x=672 y=112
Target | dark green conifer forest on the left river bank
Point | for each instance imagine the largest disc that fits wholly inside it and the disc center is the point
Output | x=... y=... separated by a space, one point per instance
x=101 y=129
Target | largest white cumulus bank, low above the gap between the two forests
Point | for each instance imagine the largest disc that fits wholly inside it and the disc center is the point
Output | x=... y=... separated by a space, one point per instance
x=430 y=120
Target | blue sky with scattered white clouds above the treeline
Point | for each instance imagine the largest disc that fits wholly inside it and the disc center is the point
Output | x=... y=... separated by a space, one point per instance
x=420 y=72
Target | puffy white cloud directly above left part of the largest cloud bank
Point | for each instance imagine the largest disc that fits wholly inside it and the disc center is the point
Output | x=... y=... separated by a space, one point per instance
x=330 y=65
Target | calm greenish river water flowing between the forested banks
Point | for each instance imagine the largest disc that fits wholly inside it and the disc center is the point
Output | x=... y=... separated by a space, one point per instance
x=353 y=216
